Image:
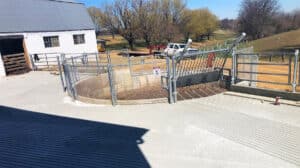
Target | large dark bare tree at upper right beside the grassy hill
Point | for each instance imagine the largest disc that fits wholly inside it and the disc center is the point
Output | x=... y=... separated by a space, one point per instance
x=256 y=17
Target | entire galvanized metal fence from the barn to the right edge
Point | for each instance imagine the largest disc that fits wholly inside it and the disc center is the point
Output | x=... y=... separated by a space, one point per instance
x=117 y=76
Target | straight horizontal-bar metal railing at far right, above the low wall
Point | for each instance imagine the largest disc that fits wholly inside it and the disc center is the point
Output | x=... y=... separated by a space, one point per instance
x=283 y=65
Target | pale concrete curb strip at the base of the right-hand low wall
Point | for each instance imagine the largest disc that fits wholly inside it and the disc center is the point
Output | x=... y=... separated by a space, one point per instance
x=262 y=98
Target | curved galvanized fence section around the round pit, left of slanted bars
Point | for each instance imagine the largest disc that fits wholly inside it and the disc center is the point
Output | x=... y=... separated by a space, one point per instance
x=95 y=76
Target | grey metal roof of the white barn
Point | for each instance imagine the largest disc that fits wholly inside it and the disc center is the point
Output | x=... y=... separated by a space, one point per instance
x=43 y=16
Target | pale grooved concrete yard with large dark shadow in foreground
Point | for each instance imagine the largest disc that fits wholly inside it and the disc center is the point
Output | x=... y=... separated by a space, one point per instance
x=237 y=132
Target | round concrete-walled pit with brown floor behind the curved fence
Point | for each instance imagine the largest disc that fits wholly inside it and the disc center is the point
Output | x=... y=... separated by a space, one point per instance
x=130 y=89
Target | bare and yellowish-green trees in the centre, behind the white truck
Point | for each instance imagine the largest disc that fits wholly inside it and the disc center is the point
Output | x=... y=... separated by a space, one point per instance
x=154 y=21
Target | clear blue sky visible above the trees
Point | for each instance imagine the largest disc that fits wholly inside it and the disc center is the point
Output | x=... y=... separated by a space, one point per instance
x=222 y=8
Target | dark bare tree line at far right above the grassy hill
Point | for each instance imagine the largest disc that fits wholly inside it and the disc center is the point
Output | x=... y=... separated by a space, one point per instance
x=261 y=18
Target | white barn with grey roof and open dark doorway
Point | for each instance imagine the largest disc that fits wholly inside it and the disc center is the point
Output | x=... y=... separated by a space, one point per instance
x=42 y=26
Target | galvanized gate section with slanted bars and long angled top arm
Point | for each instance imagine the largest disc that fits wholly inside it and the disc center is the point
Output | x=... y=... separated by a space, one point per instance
x=192 y=68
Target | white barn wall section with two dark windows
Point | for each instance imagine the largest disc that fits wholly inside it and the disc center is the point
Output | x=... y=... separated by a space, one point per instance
x=35 y=42
